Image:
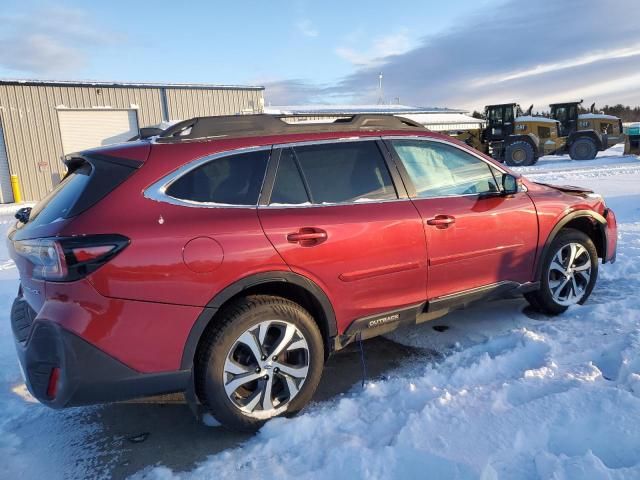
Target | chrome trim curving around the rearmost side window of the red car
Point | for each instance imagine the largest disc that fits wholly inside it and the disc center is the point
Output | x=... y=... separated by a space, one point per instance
x=157 y=191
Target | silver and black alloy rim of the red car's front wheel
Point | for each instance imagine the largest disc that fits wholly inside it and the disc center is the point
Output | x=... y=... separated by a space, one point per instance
x=569 y=274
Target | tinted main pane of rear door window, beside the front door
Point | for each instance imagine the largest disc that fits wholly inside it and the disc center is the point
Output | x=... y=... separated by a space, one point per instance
x=345 y=172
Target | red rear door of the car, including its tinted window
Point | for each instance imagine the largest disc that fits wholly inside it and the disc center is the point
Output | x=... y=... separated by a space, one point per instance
x=336 y=217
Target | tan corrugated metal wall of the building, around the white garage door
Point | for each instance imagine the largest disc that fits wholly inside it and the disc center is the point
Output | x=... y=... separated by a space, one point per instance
x=32 y=133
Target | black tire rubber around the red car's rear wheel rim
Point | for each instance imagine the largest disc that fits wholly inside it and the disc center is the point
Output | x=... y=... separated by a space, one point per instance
x=244 y=316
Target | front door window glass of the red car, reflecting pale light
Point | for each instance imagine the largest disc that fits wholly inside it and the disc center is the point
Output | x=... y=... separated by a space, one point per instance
x=440 y=170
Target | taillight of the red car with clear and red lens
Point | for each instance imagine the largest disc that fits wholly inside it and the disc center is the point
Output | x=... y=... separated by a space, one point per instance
x=69 y=258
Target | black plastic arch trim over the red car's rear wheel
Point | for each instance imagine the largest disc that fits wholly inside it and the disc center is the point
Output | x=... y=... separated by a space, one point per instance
x=209 y=311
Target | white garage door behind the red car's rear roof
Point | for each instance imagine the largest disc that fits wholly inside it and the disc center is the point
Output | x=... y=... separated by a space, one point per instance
x=83 y=129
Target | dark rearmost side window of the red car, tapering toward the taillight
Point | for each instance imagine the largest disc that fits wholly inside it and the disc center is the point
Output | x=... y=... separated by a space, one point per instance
x=230 y=180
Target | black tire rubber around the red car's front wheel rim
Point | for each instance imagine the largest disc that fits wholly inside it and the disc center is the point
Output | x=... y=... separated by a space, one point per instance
x=544 y=298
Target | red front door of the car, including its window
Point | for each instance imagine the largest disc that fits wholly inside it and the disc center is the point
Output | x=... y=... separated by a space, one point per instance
x=475 y=235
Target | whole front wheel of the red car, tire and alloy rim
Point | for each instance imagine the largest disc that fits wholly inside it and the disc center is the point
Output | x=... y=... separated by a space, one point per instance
x=558 y=291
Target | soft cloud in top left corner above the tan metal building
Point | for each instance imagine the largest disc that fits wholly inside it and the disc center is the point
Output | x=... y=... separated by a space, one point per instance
x=50 y=41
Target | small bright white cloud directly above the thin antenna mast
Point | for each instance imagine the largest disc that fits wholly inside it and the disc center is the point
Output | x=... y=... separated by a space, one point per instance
x=380 y=49
